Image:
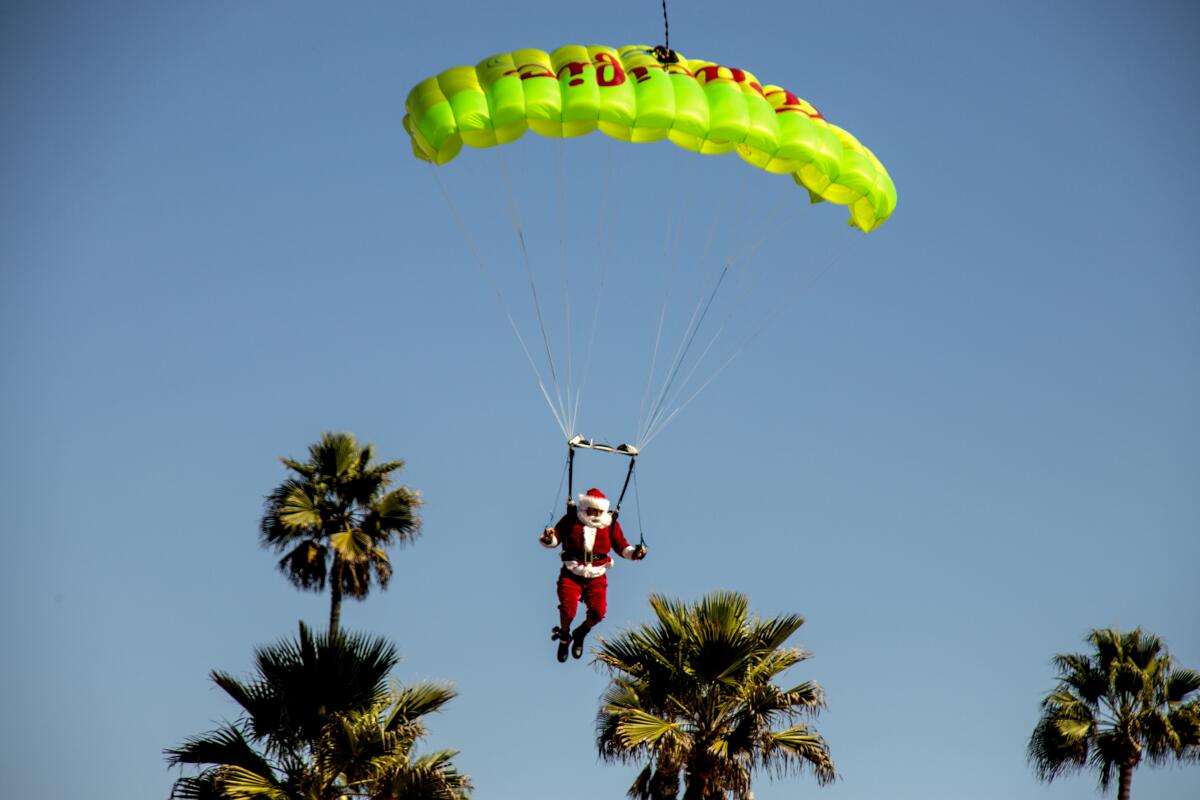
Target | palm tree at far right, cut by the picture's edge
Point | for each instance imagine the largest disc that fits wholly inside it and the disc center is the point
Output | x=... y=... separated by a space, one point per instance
x=1121 y=705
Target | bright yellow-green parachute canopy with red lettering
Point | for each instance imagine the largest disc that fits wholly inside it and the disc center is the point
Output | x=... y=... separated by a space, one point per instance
x=629 y=95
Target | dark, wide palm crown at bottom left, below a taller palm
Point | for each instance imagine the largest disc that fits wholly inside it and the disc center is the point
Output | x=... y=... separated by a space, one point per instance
x=319 y=723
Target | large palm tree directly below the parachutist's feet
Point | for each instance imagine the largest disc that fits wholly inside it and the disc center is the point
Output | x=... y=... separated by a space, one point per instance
x=693 y=700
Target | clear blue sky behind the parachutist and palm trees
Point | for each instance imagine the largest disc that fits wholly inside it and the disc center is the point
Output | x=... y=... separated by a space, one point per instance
x=957 y=446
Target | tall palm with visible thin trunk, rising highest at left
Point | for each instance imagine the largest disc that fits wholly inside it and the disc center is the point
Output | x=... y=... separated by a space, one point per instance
x=335 y=516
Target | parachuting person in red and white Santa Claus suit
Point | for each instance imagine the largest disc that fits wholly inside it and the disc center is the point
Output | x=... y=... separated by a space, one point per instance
x=587 y=538
